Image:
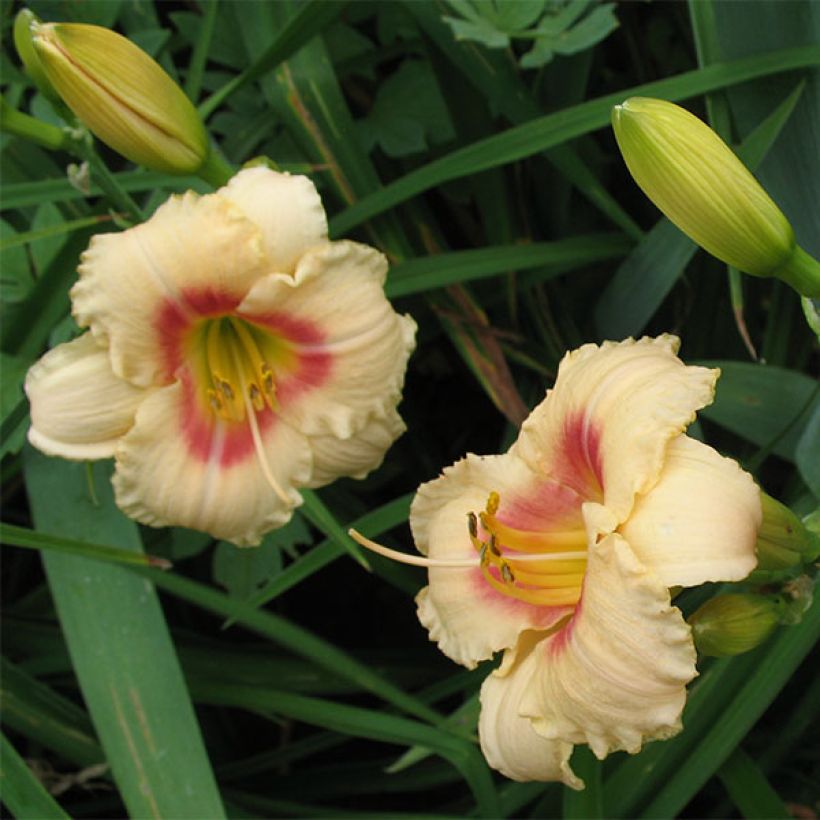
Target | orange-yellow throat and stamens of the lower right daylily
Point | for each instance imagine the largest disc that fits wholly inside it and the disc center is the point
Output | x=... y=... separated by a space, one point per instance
x=541 y=568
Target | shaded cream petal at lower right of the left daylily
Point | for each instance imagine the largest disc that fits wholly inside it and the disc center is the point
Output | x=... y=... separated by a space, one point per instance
x=355 y=456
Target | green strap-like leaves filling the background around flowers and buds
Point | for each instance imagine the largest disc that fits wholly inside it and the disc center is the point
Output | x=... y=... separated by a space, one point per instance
x=470 y=142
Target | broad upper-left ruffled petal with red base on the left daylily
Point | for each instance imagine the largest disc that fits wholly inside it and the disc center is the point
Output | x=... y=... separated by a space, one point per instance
x=142 y=289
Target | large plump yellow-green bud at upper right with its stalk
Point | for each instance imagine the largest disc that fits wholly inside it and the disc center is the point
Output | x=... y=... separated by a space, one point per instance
x=687 y=170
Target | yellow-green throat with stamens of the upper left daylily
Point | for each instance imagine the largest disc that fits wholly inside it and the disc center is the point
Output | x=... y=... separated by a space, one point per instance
x=239 y=378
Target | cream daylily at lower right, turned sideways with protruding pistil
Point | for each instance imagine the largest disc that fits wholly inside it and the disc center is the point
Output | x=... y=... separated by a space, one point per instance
x=561 y=552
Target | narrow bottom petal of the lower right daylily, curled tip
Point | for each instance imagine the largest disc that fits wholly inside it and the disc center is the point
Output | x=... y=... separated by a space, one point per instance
x=508 y=741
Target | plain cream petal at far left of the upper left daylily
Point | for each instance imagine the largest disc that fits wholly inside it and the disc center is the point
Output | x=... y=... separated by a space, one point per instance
x=79 y=408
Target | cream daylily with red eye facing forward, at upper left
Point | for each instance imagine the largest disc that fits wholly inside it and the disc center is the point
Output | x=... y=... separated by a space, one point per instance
x=234 y=355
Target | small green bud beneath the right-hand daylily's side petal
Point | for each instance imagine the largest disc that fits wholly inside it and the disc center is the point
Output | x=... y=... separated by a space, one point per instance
x=734 y=623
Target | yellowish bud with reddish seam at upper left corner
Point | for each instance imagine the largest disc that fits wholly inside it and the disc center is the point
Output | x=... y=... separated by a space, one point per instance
x=122 y=95
